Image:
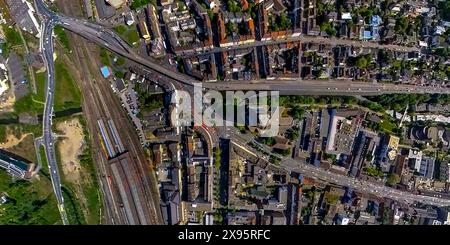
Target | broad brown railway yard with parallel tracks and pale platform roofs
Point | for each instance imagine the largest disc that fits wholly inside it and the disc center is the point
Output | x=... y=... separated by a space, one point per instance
x=112 y=160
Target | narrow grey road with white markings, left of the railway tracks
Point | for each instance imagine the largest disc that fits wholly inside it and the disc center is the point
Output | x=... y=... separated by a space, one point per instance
x=46 y=45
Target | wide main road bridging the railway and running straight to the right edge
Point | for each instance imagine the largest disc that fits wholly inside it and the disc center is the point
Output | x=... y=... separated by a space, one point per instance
x=108 y=39
